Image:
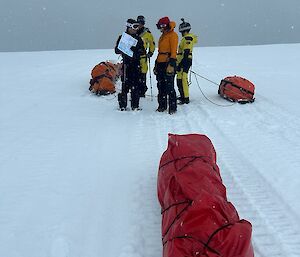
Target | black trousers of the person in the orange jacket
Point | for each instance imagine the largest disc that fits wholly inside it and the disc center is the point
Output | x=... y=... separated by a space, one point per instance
x=165 y=85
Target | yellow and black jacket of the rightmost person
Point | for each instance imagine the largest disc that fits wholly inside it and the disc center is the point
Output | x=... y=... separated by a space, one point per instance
x=186 y=46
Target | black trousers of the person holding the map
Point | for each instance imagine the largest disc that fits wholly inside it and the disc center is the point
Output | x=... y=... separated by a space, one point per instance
x=130 y=82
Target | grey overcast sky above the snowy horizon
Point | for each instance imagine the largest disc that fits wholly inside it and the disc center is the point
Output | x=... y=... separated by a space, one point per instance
x=34 y=25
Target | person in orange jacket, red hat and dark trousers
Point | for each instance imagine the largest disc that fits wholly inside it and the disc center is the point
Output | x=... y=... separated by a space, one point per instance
x=165 y=65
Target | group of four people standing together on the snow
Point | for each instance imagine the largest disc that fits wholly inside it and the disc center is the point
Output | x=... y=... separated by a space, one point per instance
x=172 y=60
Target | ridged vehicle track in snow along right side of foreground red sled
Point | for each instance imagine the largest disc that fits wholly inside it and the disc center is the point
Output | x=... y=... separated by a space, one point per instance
x=274 y=232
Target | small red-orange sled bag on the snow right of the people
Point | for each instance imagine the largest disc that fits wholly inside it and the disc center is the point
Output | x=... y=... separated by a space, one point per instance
x=237 y=89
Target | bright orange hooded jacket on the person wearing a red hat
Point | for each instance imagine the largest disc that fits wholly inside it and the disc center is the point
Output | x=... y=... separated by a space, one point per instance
x=167 y=44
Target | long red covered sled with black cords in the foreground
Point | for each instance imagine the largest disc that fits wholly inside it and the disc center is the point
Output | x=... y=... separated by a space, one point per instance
x=197 y=219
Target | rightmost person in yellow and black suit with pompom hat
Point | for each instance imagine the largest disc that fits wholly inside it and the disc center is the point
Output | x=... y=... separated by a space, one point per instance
x=184 y=60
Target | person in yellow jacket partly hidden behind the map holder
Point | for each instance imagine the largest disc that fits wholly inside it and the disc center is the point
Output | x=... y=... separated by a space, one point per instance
x=149 y=45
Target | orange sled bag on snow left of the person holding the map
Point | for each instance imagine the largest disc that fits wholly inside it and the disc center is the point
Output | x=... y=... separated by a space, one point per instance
x=104 y=76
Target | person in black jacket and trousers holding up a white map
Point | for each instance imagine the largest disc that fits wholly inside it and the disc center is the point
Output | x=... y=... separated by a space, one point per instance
x=131 y=68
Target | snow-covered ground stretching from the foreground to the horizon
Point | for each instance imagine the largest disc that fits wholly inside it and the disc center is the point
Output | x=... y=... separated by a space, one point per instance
x=78 y=177
